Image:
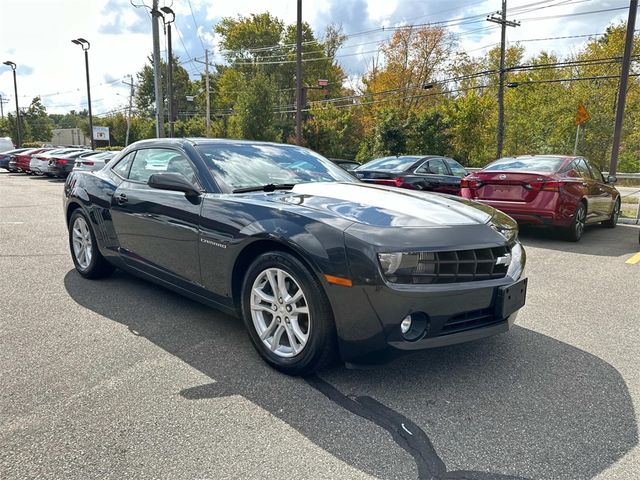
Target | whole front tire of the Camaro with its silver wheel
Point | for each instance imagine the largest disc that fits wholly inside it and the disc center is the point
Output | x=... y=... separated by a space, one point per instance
x=287 y=314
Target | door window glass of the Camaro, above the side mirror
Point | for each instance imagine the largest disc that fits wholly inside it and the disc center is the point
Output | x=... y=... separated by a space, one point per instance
x=158 y=160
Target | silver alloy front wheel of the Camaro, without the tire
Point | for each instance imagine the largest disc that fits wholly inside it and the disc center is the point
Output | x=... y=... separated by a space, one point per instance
x=280 y=312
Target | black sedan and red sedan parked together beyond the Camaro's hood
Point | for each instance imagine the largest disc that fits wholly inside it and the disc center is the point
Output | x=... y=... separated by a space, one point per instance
x=558 y=191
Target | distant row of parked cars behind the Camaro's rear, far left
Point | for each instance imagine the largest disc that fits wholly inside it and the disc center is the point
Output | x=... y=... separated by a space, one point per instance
x=53 y=161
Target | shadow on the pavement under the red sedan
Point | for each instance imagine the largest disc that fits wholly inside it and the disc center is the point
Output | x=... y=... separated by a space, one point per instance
x=597 y=240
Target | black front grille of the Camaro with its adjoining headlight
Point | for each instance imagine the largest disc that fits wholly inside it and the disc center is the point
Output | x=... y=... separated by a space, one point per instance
x=457 y=266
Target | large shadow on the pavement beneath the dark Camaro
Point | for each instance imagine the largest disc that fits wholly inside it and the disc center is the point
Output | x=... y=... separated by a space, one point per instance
x=520 y=405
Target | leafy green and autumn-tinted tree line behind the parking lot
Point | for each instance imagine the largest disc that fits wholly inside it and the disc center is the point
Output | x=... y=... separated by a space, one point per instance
x=419 y=95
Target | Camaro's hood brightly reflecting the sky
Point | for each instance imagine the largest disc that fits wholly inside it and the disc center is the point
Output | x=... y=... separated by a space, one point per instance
x=380 y=206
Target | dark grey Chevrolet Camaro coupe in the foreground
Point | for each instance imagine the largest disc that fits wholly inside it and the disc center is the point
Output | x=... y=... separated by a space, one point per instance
x=314 y=261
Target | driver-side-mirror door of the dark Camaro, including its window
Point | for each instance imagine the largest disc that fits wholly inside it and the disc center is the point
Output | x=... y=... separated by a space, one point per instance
x=158 y=230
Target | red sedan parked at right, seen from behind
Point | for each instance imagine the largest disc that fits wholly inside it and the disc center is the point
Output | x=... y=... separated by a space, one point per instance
x=559 y=191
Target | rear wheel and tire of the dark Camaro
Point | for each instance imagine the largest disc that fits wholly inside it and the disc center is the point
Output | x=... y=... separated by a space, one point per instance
x=86 y=256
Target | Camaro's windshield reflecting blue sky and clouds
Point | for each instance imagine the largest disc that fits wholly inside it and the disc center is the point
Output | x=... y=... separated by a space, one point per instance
x=246 y=165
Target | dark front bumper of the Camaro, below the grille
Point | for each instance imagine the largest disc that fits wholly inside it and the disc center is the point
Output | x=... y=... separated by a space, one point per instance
x=368 y=317
